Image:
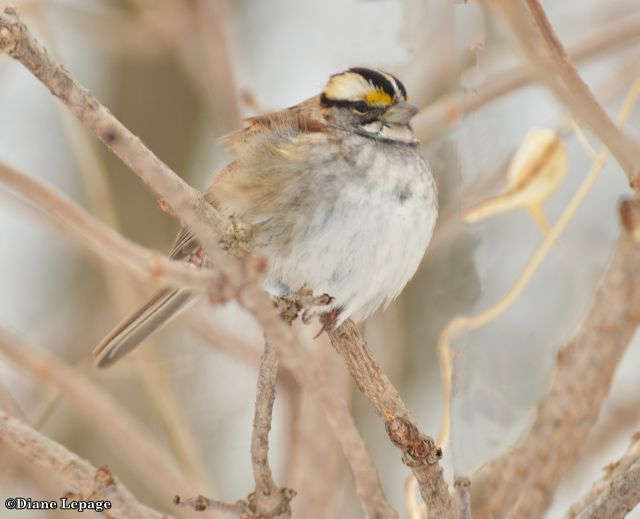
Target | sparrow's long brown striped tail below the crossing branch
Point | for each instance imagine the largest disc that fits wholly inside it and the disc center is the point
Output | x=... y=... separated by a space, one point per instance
x=163 y=306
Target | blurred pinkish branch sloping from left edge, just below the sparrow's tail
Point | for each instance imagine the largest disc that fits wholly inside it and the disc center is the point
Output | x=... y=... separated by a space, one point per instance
x=108 y=419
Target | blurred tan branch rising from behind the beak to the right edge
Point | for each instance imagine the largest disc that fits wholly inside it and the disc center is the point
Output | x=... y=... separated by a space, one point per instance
x=451 y=108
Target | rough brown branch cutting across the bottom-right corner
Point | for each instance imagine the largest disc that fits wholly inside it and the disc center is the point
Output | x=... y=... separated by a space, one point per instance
x=617 y=493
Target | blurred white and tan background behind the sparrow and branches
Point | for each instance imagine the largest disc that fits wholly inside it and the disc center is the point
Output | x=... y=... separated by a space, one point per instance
x=181 y=73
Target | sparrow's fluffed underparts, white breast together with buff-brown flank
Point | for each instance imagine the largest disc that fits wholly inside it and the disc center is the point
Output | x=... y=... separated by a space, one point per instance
x=346 y=216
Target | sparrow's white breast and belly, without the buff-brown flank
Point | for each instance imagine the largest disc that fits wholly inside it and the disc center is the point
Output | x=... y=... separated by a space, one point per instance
x=365 y=235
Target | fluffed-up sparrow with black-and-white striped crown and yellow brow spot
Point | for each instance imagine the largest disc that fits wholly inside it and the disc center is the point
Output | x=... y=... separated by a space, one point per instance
x=338 y=197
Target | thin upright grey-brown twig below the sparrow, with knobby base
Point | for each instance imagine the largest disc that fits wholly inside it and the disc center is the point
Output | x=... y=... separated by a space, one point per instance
x=268 y=500
